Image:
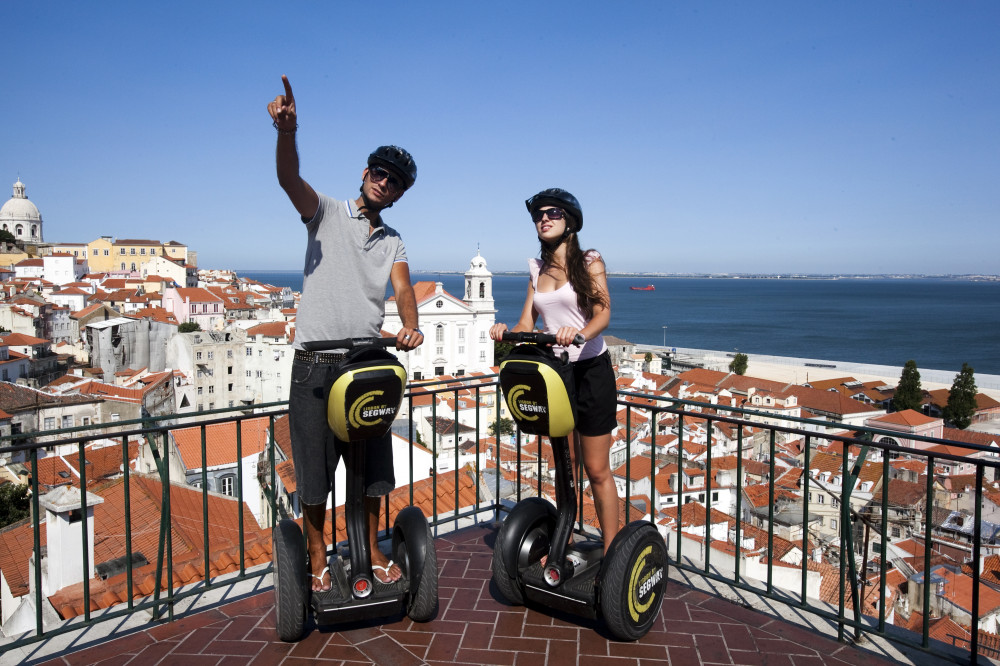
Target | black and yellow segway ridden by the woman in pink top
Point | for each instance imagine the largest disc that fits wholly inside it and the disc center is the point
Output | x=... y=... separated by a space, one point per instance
x=625 y=588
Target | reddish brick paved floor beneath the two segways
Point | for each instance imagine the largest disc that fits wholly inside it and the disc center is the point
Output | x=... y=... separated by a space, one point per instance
x=474 y=627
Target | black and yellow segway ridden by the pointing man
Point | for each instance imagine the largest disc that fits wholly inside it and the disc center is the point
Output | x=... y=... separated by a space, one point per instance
x=364 y=397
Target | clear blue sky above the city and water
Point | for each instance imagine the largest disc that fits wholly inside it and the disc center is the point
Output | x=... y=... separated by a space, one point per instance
x=773 y=137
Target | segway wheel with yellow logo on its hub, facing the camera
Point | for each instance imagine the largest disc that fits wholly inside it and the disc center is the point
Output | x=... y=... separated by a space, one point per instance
x=632 y=581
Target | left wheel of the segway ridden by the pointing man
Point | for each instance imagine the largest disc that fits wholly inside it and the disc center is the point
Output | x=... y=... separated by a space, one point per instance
x=289 y=556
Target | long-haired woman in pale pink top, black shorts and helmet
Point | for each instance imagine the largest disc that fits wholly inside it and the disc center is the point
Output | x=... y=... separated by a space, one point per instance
x=569 y=289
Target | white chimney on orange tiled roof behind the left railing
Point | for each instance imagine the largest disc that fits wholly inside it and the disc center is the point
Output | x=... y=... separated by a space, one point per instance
x=64 y=519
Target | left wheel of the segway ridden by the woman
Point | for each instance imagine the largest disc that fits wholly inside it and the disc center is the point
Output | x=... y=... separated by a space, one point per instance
x=523 y=538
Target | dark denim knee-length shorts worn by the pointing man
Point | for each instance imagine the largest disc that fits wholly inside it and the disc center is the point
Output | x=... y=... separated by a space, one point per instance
x=315 y=450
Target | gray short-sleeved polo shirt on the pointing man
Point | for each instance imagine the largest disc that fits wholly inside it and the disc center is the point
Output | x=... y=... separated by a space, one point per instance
x=346 y=274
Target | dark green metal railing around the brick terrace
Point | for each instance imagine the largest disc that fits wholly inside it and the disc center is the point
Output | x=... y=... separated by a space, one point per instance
x=690 y=551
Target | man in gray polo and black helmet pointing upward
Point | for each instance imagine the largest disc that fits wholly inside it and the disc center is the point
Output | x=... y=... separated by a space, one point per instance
x=350 y=257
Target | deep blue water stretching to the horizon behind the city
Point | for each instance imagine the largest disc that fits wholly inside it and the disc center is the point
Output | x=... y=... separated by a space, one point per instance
x=939 y=323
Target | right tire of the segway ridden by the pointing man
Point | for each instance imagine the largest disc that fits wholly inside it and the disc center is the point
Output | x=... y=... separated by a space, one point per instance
x=416 y=534
